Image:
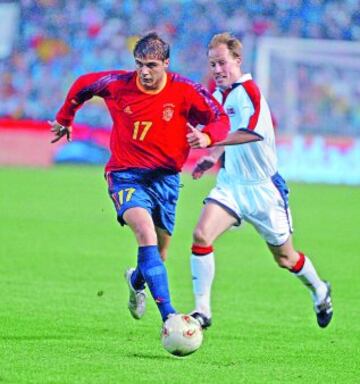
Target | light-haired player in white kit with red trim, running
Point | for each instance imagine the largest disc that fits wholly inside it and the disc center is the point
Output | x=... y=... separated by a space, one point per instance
x=248 y=187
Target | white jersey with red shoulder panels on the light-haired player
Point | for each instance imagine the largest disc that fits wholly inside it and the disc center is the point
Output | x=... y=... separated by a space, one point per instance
x=248 y=110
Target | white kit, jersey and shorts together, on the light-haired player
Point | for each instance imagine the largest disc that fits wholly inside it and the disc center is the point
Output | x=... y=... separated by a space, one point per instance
x=248 y=186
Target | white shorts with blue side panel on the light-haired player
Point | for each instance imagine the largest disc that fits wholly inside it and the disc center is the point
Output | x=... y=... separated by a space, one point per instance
x=264 y=205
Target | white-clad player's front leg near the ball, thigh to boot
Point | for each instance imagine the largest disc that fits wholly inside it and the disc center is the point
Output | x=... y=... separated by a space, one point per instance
x=214 y=220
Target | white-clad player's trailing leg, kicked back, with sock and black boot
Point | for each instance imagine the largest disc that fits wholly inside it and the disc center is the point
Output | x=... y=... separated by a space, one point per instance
x=296 y=262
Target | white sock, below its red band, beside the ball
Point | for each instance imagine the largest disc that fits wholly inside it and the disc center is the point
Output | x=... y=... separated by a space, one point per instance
x=203 y=272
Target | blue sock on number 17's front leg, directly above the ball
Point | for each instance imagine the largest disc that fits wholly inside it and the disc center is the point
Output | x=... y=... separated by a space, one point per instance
x=154 y=272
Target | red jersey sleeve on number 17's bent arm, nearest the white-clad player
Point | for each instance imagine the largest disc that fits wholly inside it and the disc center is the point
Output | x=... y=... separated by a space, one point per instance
x=205 y=110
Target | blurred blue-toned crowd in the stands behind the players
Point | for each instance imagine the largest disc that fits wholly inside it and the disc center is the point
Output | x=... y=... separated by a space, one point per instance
x=58 y=40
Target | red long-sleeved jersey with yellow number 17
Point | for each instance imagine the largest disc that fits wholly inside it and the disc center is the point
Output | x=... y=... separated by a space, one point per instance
x=149 y=129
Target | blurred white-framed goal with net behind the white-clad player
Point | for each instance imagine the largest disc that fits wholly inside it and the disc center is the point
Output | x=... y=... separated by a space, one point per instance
x=313 y=88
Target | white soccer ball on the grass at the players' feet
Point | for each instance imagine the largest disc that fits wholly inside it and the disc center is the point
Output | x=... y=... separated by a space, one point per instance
x=181 y=335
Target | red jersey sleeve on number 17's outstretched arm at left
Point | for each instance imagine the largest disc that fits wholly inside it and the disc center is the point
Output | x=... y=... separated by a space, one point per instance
x=83 y=89
